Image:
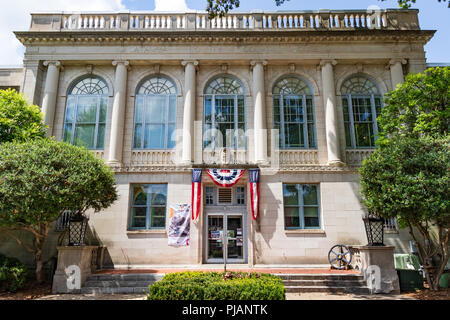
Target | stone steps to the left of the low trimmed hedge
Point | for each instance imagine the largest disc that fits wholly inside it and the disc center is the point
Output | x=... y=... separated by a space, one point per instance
x=119 y=283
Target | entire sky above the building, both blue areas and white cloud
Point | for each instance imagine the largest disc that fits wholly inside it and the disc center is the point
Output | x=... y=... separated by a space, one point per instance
x=16 y=17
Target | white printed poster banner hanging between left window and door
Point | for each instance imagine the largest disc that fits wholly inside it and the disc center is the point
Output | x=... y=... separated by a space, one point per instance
x=179 y=226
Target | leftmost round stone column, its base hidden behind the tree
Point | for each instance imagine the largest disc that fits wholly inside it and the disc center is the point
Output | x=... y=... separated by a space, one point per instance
x=50 y=93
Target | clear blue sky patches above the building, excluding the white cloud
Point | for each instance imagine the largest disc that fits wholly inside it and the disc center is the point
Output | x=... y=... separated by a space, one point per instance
x=433 y=15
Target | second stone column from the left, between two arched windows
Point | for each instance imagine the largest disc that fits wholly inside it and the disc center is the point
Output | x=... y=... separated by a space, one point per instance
x=118 y=113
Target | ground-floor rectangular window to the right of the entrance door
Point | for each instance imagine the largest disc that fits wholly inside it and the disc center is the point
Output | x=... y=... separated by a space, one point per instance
x=301 y=206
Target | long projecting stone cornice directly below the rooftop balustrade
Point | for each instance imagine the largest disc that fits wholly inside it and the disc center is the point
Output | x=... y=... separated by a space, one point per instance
x=220 y=37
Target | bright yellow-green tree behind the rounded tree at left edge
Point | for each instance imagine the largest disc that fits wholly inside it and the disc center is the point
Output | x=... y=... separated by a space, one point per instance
x=19 y=121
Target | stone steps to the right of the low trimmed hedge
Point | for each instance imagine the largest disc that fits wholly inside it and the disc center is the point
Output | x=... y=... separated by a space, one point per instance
x=328 y=283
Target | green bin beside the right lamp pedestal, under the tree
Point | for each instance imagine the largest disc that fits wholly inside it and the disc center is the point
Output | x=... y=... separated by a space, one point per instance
x=408 y=271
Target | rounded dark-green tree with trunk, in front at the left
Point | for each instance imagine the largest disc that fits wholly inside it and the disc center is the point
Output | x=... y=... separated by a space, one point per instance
x=40 y=179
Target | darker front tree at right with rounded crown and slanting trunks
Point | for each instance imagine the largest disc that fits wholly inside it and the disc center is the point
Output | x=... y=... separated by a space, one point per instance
x=408 y=179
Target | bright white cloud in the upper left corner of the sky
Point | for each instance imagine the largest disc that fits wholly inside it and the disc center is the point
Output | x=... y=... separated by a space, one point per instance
x=15 y=16
